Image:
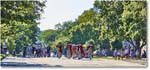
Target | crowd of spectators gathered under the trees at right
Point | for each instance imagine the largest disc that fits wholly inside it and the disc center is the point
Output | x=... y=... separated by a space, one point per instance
x=122 y=53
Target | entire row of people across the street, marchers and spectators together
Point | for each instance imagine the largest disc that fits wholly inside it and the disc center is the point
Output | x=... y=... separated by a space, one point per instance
x=76 y=51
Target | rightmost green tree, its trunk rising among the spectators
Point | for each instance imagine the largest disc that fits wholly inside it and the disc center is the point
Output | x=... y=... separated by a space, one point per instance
x=134 y=20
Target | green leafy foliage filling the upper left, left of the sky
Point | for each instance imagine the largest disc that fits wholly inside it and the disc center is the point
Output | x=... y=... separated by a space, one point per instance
x=18 y=22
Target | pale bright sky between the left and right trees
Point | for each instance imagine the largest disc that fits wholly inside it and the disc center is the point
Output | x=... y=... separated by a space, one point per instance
x=58 y=11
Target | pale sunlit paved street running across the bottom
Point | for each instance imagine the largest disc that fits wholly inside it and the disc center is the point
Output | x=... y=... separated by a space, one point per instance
x=64 y=62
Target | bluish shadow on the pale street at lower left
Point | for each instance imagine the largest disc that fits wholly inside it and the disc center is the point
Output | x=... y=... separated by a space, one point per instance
x=23 y=64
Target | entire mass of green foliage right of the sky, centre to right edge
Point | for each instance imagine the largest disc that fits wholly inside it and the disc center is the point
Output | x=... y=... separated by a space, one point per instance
x=111 y=23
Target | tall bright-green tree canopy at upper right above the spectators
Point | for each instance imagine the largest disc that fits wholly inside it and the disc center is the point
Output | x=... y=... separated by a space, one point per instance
x=123 y=21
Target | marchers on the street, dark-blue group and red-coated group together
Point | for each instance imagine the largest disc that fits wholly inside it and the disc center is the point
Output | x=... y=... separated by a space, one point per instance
x=69 y=51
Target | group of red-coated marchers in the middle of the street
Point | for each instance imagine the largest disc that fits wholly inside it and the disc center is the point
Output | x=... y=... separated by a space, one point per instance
x=75 y=51
